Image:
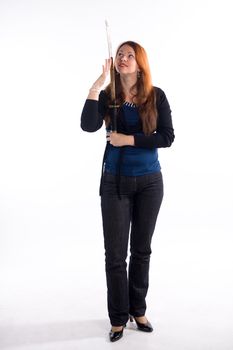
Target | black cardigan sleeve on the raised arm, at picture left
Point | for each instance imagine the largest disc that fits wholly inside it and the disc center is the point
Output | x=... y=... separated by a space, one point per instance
x=93 y=113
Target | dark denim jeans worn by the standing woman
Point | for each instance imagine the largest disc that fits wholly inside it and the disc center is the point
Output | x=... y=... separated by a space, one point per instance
x=135 y=211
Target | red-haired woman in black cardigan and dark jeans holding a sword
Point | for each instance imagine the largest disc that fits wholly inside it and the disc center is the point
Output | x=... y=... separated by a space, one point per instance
x=131 y=184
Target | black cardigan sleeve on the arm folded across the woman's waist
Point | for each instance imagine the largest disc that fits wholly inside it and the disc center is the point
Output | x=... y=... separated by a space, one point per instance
x=164 y=135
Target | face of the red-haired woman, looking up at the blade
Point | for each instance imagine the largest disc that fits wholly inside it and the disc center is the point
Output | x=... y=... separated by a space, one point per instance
x=125 y=62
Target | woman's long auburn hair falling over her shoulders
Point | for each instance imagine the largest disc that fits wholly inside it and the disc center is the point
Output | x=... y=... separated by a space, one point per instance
x=145 y=97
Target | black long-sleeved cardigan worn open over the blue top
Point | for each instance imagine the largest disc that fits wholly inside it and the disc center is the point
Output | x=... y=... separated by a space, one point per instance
x=94 y=111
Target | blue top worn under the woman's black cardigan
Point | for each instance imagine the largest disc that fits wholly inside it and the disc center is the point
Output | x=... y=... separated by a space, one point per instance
x=135 y=161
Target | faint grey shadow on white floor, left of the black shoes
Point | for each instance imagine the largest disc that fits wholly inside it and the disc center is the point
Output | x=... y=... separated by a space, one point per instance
x=18 y=335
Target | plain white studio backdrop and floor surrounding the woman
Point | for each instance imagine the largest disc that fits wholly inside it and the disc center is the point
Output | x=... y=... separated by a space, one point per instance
x=52 y=280
